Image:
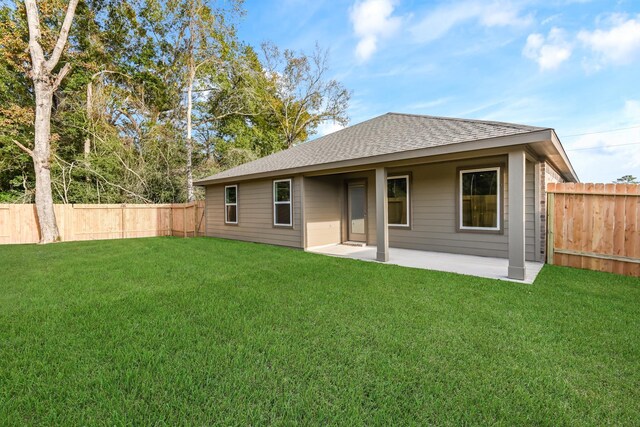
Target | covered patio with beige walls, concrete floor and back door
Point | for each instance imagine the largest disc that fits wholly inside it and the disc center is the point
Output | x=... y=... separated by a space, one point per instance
x=431 y=236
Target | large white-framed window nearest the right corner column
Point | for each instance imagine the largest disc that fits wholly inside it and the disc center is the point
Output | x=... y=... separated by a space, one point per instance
x=479 y=201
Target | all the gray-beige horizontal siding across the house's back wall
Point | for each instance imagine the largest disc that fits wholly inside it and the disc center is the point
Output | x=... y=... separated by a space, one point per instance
x=433 y=211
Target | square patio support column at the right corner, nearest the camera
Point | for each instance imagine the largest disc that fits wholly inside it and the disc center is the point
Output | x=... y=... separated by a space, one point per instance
x=517 y=164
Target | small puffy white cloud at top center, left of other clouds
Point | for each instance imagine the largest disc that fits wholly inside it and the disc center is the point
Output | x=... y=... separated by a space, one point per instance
x=372 y=20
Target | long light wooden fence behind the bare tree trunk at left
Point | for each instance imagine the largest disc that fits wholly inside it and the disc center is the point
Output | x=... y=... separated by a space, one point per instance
x=18 y=223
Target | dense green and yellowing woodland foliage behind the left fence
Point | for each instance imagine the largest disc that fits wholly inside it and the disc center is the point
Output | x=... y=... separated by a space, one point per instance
x=118 y=122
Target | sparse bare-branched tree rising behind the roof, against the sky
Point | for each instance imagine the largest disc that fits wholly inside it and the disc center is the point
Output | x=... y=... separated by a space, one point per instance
x=303 y=95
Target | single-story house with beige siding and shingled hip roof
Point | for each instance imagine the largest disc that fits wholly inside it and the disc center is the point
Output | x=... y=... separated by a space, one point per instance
x=402 y=181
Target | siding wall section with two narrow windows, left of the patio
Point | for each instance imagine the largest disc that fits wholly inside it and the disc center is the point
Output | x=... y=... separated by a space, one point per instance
x=255 y=214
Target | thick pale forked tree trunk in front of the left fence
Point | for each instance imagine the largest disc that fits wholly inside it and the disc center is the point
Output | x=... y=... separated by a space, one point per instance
x=45 y=83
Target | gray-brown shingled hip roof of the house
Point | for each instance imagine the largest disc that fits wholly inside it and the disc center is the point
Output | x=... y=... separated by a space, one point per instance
x=386 y=134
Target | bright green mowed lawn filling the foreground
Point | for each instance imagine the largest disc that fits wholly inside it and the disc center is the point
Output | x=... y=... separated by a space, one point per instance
x=170 y=331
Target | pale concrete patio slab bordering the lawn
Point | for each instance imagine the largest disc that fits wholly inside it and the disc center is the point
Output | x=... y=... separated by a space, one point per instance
x=492 y=268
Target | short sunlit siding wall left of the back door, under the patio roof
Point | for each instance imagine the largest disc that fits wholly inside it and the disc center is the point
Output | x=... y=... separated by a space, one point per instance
x=323 y=210
